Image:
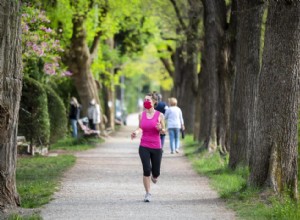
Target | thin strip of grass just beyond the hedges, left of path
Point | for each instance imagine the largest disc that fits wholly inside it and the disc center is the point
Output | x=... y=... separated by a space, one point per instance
x=71 y=144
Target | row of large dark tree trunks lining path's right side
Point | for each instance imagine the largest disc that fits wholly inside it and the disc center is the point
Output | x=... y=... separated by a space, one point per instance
x=244 y=99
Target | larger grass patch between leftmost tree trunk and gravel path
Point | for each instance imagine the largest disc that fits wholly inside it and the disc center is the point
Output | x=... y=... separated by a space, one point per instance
x=37 y=178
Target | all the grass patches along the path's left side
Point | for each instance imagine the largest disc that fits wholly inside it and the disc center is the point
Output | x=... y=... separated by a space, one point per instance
x=39 y=177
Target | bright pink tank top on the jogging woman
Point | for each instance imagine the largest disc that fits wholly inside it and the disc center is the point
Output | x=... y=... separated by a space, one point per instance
x=150 y=137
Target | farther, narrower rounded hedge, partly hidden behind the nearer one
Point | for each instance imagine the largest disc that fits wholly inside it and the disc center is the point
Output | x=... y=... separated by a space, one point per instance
x=57 y=114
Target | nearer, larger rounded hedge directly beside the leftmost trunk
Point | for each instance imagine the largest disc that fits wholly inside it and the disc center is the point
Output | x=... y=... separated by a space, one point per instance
x=34 y=121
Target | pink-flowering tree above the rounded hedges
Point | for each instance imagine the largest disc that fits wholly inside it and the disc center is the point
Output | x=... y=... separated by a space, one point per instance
x=41 y=48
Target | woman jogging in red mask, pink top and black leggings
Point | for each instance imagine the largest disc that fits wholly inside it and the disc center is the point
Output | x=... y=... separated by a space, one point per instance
x=151 y=124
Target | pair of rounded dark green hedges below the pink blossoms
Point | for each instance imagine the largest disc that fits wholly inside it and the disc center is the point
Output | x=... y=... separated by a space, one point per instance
x=42 y=115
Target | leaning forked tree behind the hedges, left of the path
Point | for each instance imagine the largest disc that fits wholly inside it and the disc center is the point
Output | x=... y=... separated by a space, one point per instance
x=80 y=56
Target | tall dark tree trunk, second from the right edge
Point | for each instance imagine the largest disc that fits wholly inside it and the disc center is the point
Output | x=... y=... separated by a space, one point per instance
x=249 y=22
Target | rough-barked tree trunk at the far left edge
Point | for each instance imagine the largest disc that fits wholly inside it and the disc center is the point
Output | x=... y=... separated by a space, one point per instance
x=10 y=93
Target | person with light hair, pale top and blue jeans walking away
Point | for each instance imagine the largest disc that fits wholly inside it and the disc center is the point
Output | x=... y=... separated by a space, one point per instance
x=175 y=122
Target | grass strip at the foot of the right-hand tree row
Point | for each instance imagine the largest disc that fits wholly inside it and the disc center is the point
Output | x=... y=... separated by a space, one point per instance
x=249 y=203
